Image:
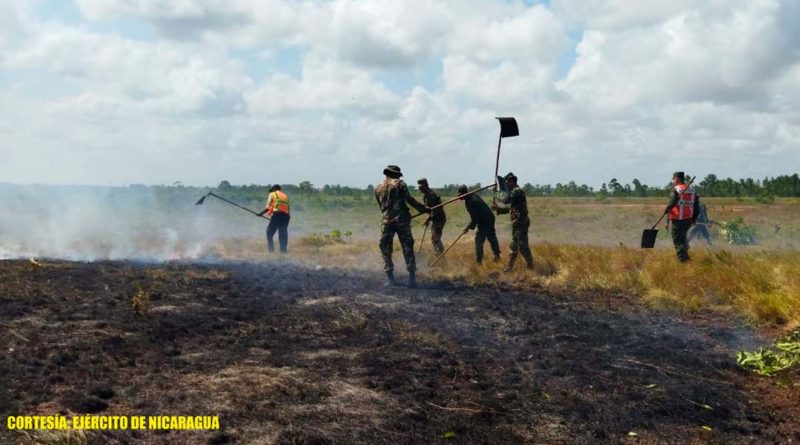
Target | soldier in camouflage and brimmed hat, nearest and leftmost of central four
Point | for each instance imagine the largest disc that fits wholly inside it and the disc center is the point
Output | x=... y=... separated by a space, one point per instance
x=392 y=196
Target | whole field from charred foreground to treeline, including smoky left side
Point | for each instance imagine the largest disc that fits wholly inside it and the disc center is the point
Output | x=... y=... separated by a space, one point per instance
x=600 y=340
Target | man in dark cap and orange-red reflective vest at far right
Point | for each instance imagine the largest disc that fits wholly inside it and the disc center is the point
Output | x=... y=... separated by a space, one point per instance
x=683 y=209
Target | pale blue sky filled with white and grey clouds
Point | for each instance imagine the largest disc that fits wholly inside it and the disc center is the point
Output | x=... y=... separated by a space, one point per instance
x=119 y=92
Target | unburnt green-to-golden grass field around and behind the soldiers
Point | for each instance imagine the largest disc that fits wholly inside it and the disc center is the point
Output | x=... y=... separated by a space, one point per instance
x=588 y=245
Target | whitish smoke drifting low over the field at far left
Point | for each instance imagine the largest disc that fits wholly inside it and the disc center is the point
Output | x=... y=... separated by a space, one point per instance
x=84 y=223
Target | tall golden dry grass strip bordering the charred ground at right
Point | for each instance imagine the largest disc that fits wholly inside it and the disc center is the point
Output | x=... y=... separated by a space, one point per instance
x=762 y=285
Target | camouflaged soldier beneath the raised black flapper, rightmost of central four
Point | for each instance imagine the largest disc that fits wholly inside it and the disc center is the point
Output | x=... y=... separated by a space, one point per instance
x=517 y=208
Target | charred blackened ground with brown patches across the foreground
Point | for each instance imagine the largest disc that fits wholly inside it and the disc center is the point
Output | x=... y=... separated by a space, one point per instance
x=289 y=355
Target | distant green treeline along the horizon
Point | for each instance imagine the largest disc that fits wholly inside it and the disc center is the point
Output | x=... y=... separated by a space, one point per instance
x=710 y=185
